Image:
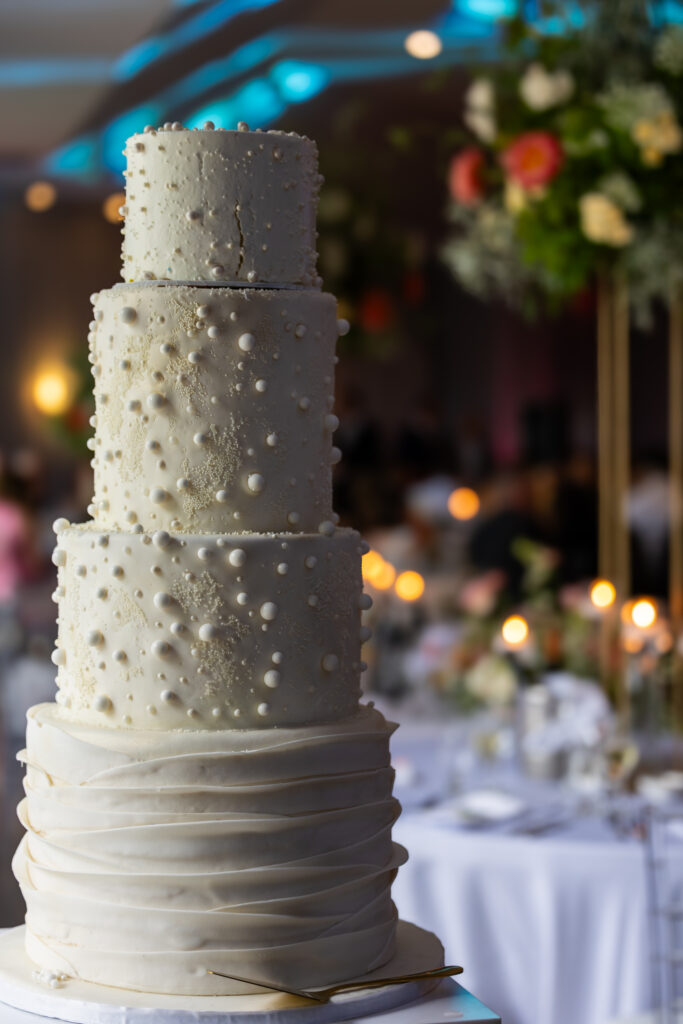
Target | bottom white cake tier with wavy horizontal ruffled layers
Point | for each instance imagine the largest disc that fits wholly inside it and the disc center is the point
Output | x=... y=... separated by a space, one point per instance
x=152 y=859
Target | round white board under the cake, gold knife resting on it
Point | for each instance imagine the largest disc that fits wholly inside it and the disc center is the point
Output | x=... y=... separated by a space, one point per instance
x=83 y=1003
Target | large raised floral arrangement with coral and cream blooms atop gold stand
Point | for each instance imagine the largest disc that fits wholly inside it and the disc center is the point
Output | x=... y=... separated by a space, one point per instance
x=574 y=160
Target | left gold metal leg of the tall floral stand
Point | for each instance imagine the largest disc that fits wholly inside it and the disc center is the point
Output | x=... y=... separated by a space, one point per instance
x=614 y=470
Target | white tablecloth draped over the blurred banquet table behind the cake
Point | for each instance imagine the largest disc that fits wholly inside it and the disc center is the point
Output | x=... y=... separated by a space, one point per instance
x=549 y=928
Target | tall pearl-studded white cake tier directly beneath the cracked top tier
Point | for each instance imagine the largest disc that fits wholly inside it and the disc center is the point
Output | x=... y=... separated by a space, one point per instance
x=215 y=408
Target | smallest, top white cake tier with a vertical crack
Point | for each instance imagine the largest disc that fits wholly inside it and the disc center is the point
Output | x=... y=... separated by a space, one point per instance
x=221 y=206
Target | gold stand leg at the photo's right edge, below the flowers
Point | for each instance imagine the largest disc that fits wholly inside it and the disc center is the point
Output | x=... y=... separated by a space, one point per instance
x=676 y=495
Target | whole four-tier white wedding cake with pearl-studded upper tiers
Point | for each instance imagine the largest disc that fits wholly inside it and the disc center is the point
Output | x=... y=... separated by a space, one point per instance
x=207 y=793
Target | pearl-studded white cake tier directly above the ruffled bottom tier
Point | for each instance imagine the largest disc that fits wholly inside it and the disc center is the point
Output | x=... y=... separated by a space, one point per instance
x=207 y=632
